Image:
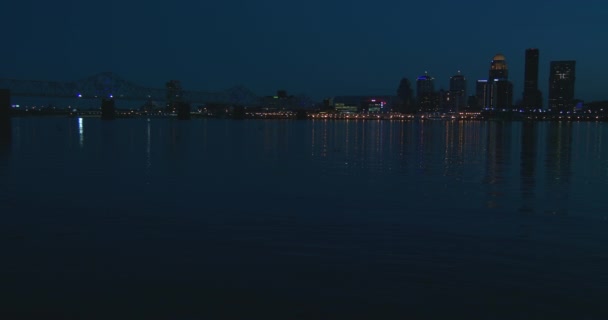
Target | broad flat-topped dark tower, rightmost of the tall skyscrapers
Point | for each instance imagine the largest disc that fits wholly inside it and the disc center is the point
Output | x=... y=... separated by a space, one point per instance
x=561 y=85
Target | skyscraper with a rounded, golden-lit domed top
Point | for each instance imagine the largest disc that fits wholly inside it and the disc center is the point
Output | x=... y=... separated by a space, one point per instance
x=499 y=90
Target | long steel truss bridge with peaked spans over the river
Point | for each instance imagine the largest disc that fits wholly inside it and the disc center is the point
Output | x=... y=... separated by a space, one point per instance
x=110 y=85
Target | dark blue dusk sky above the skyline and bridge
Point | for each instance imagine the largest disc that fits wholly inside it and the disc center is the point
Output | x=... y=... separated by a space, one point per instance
x=319 y=48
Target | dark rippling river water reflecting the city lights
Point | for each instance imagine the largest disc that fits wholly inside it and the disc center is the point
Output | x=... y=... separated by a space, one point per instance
x=214 y=219
